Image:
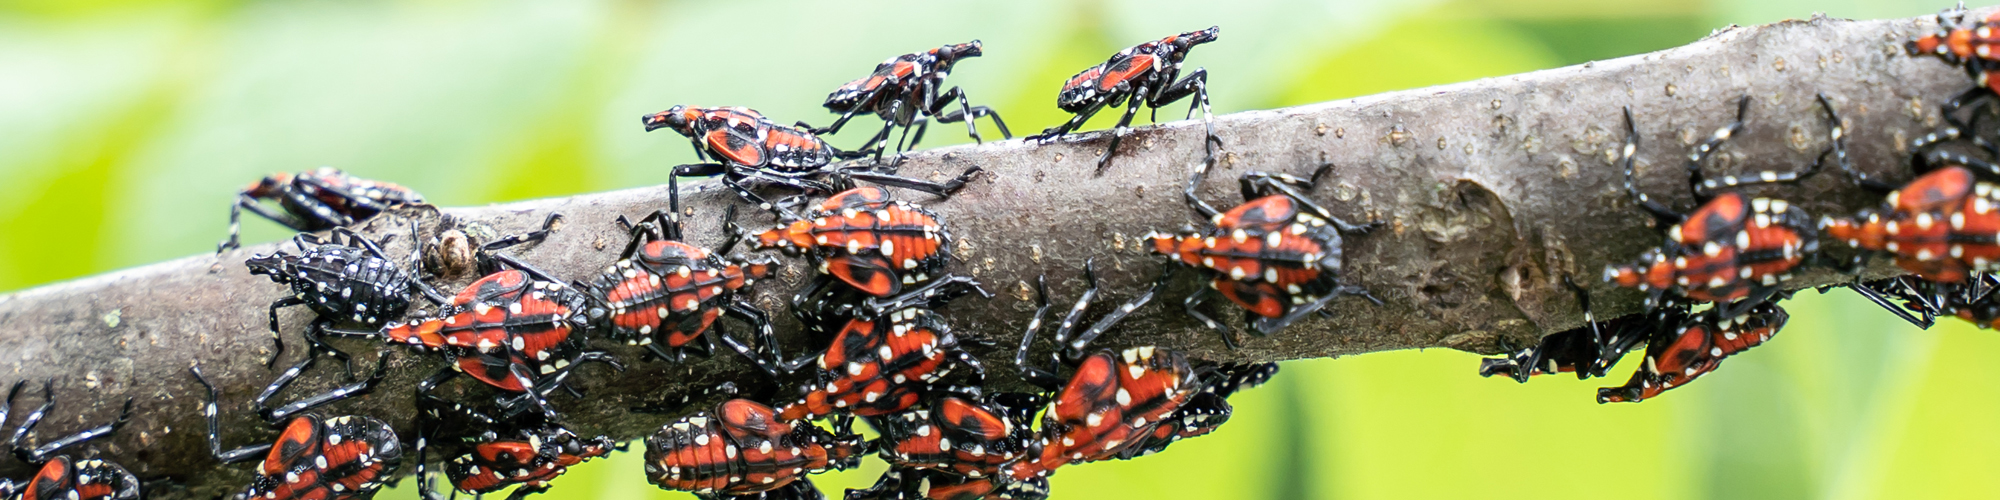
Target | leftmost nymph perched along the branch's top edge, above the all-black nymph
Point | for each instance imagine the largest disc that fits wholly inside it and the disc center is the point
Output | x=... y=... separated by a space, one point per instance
x=317 y=201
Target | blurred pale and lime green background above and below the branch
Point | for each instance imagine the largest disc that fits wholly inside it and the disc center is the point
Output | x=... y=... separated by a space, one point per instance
x=127 y=127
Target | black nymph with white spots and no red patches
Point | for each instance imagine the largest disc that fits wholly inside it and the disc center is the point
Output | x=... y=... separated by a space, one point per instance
x=347 y=281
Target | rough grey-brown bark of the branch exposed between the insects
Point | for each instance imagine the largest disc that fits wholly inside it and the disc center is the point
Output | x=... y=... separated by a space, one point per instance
x=1491 y=193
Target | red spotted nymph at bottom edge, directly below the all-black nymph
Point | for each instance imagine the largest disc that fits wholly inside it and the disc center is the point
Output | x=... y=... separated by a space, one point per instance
x=313 y=459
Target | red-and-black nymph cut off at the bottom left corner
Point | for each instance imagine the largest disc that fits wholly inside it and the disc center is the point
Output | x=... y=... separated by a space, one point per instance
x=59 y=477
